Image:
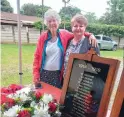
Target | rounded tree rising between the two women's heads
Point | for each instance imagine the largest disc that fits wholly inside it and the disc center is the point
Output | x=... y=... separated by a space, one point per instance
x=68 y=12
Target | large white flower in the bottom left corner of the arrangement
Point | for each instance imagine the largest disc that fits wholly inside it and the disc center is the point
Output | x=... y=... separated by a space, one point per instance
x=12 y=112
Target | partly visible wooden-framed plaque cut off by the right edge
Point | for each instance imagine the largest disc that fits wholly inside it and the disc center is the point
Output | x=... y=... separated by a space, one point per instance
x=118 y=106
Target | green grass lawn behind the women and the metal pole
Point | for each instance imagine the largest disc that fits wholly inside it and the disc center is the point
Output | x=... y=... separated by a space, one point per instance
x=10 y=67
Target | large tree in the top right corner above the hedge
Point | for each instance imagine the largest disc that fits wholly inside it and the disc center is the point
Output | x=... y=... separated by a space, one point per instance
x=115 y=13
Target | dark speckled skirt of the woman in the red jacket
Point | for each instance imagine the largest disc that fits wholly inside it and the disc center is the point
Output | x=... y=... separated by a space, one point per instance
x=51 y=77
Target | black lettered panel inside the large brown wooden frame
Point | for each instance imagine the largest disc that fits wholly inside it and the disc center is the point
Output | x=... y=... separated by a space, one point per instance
x=85 y=88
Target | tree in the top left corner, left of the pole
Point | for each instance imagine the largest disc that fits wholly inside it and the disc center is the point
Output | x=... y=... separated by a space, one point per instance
x=6 y=7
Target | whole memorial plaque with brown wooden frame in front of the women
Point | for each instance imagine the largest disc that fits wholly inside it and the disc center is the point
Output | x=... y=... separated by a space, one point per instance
x=87 y=84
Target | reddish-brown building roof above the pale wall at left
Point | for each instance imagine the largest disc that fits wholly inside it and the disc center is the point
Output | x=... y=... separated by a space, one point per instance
x=11 y=18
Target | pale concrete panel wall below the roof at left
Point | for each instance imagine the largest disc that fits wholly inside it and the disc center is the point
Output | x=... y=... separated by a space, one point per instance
x=9 y=34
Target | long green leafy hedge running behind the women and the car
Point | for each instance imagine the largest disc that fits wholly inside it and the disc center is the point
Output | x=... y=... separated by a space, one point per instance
x=109 y=30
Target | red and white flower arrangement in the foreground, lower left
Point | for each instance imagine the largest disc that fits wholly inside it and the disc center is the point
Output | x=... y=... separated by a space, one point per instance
x=30 y=103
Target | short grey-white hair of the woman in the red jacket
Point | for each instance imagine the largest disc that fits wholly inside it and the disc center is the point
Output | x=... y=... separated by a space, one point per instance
x=51 y=14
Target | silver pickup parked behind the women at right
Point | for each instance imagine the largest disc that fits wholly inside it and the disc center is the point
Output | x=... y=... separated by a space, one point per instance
x=105 y=42
